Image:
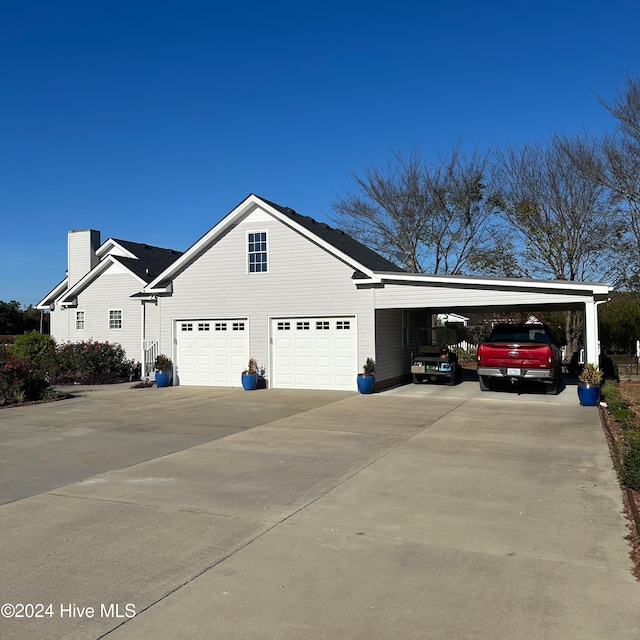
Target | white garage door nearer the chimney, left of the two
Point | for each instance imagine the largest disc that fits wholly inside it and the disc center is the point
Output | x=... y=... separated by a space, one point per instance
x=211 y=352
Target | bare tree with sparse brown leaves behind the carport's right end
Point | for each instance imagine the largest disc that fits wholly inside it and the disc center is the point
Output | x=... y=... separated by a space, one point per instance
x=560 y=219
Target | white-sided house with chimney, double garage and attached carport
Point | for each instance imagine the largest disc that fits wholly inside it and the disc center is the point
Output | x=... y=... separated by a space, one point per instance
x=309 y=302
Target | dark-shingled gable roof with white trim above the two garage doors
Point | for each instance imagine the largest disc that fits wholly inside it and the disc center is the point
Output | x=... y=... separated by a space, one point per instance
x=363 y=260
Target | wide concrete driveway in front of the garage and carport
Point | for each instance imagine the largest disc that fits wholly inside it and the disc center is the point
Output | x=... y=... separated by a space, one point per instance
x=422 y=512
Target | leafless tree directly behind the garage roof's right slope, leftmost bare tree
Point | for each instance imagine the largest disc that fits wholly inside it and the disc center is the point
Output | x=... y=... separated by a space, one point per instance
x=436 y=216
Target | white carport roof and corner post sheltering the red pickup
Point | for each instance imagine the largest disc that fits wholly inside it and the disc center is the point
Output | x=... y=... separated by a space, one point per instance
x=465 y=294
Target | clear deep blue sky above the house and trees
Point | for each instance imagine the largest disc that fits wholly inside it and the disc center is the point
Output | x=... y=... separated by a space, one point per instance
x=150 y=121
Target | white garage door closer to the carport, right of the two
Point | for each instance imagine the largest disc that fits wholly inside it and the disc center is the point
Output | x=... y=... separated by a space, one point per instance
x=314 y=353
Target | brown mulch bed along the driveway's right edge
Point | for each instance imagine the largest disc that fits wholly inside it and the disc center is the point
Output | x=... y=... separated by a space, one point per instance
x=631 y=498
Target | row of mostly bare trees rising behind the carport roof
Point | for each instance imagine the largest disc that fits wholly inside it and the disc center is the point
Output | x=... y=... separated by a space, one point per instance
x=564 y=209
